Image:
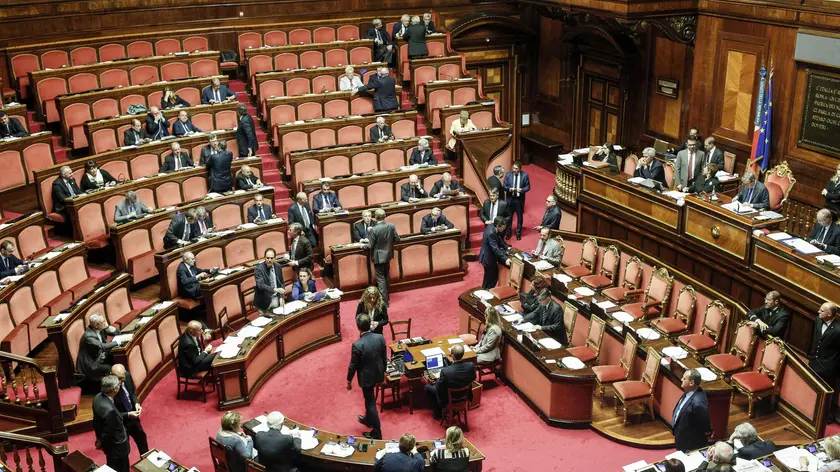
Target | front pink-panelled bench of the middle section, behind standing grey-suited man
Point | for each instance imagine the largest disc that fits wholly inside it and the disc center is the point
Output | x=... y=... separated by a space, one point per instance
x=419 y=260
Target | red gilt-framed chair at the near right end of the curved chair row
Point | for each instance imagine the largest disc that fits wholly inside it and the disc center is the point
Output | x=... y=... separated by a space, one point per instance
x=762 y=382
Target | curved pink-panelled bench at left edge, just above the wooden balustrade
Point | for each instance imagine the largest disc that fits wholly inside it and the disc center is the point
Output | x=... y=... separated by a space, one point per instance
x=46 y=289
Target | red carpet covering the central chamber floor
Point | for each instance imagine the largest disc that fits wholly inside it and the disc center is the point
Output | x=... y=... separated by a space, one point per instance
x=311 y=390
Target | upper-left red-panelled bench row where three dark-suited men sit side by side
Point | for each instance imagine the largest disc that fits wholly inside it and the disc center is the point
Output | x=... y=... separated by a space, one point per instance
x=108 y=133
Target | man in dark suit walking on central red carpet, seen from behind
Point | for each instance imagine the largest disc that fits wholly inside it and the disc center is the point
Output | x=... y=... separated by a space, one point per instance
x=367 y=361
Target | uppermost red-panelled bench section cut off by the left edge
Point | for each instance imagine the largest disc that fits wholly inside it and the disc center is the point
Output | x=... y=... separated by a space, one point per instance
x=21 y=157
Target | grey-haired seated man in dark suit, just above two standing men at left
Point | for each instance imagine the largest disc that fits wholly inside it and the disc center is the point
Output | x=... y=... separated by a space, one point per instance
x=94 y=360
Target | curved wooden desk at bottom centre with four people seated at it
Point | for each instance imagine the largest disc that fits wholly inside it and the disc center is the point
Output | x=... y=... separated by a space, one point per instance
x=359 y=461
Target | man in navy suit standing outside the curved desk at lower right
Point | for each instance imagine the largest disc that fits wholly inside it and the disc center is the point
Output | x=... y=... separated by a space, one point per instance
x=691 y=422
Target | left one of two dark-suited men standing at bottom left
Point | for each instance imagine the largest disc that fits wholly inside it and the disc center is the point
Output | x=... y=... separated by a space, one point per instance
x=109 y=427
